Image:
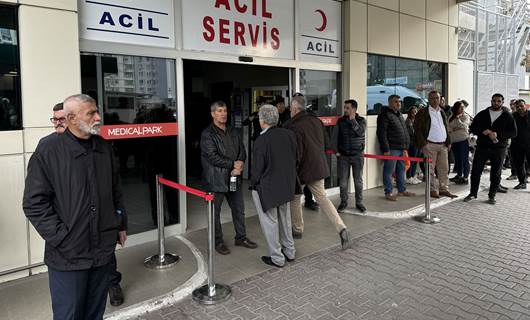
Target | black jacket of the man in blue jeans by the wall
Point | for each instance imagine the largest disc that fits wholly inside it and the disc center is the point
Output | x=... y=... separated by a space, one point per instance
x=392 y=131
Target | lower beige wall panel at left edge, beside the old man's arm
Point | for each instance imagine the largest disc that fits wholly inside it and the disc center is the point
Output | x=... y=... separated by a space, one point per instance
x=13 y=235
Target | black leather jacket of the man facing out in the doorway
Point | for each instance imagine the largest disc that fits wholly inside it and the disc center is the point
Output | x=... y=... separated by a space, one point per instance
x=216 y=164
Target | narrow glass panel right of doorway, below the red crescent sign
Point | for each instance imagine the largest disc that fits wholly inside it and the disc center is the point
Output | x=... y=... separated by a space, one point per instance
x=323 y=97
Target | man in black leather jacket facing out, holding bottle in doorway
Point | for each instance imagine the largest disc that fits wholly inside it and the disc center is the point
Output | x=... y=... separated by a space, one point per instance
x=222 y=157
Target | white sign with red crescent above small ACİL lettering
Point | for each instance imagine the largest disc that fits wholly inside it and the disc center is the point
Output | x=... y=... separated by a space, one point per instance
x=320 y=31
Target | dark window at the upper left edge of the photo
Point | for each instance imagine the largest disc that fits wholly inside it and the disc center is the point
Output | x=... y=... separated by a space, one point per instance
x=10 y=112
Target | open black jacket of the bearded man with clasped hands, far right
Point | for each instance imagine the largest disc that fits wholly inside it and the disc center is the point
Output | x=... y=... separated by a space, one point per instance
x=504 y=126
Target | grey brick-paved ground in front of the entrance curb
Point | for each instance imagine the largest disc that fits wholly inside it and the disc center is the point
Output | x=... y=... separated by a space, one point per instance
x=473 y=265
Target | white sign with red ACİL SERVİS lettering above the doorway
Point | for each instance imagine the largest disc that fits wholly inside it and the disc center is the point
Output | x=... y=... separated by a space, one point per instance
x=263 y=28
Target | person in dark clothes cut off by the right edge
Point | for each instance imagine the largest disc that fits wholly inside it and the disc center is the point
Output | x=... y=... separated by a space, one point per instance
x=520 y=146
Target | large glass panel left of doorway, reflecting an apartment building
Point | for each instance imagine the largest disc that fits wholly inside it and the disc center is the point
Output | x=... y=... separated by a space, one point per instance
x=130 y=99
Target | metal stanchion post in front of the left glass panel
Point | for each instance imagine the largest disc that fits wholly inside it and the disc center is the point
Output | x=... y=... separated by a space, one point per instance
x=162 y=260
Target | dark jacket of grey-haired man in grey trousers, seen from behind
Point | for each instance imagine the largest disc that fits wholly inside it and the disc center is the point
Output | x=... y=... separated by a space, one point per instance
x=274 y=167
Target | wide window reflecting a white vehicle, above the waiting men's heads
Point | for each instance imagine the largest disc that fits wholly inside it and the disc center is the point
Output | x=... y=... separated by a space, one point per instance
x=411 y=79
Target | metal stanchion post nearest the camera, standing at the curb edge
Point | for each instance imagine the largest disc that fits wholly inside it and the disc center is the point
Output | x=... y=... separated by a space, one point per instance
x=211 y=293
